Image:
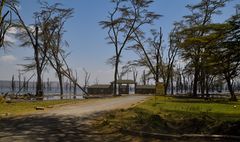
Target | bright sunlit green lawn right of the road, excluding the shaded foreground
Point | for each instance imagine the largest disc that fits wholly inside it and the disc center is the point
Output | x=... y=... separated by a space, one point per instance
x=219 y=109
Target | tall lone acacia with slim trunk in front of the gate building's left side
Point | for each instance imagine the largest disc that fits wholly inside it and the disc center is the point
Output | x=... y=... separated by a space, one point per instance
x=126 y=17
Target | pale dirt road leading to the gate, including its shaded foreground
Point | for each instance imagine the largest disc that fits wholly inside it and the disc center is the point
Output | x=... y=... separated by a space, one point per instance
x=66 y=123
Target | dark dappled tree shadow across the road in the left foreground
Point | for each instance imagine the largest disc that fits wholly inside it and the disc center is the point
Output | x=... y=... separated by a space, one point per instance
x=52 y=128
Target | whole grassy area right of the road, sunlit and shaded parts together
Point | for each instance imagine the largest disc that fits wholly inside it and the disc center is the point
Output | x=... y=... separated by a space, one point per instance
x=169 y=115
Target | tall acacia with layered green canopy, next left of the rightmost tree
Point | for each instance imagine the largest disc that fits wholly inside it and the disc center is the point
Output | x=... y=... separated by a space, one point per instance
x=192 y=48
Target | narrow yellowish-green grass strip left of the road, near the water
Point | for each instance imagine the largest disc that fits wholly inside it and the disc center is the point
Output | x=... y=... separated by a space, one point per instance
x=22 y=108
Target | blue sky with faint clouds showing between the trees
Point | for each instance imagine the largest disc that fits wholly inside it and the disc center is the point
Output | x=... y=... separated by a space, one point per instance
x=87 y=44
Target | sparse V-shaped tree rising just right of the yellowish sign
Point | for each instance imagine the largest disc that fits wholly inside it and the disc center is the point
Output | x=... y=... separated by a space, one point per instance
x=152 y=55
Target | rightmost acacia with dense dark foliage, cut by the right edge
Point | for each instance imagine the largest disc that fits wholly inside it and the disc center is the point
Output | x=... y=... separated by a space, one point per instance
x=223 y=52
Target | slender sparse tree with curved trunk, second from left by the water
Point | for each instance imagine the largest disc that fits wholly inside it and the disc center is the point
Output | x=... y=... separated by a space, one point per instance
x=51 y=19
